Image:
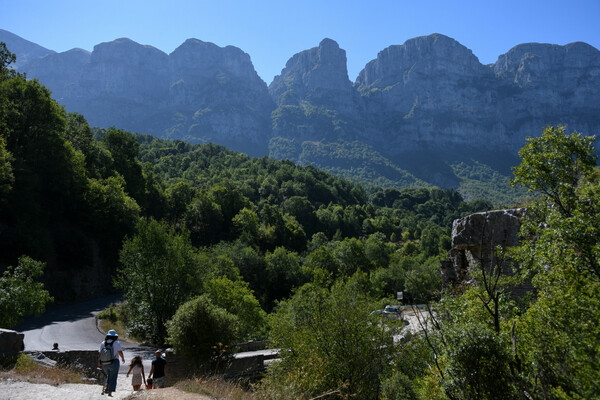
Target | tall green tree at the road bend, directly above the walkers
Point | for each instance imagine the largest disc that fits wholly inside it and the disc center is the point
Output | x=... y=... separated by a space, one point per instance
x=159 y=273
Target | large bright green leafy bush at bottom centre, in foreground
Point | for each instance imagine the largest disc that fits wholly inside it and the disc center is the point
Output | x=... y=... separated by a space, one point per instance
x=330 y=342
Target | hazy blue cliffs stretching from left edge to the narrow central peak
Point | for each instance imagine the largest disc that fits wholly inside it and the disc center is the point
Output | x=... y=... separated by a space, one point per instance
x=200 y=92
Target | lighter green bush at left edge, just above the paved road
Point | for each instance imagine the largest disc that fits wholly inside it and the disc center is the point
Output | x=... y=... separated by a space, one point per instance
x=20 y=293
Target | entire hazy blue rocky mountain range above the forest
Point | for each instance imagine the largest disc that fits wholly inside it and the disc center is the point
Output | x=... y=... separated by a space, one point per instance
x=425 y=112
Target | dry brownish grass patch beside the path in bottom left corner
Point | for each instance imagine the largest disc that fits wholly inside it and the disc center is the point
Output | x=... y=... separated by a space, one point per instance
x=27 y=370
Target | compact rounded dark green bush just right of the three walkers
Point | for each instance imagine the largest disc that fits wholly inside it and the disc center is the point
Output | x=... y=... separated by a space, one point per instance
x=200 y=329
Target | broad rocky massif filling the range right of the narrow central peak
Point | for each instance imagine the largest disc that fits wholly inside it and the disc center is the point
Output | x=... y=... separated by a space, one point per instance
x=433 y=91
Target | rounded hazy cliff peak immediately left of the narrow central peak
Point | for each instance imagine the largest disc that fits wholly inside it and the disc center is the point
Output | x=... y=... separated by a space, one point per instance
x=216 y=95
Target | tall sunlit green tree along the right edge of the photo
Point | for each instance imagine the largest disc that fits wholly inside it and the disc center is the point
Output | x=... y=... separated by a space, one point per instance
x=559 y=347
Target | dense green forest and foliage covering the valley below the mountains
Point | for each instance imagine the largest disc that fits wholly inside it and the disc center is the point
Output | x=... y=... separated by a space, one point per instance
x=211 y=247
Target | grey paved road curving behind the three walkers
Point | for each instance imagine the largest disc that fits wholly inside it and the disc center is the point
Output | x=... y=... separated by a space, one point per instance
x=74 y=327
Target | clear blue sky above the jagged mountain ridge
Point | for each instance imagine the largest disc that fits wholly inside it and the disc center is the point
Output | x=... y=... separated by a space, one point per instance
x=272 y=31
